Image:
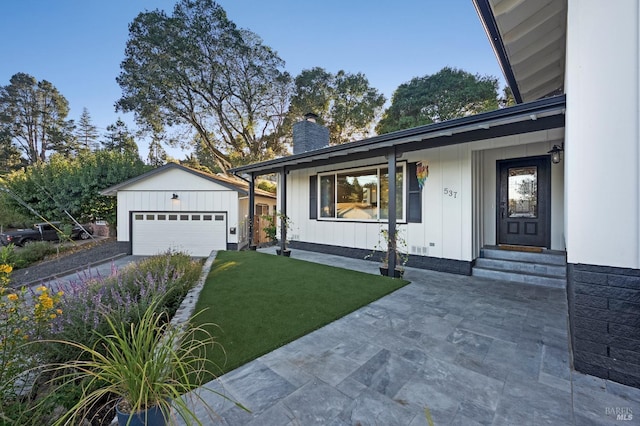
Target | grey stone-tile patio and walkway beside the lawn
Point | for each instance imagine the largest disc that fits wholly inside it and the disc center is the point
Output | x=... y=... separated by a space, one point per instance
x=460 y=350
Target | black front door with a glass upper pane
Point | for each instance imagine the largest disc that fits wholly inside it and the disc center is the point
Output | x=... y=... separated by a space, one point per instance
x=524 y=201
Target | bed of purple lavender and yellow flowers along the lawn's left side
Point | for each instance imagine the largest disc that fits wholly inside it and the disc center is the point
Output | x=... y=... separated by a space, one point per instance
x=80 y=313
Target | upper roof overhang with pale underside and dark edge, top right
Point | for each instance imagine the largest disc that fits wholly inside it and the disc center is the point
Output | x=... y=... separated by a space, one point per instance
x=529 y=40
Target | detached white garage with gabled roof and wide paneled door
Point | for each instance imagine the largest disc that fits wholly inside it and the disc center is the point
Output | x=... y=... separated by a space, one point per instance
x=175 y=207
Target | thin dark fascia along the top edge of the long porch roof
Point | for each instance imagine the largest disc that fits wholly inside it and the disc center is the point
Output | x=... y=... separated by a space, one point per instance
x=396 y=138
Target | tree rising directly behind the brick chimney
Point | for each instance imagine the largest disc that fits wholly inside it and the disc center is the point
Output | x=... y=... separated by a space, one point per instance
x=344 y=102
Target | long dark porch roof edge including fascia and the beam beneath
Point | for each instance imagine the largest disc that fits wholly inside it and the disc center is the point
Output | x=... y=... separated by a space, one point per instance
x=529 y=117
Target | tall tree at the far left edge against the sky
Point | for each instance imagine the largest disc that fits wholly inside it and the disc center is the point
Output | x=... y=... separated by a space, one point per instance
x=33 y=114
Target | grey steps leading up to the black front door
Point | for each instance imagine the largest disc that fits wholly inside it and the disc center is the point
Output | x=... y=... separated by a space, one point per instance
x=545 y=269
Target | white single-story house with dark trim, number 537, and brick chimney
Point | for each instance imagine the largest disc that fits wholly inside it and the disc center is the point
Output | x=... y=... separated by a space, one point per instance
x=573 y=66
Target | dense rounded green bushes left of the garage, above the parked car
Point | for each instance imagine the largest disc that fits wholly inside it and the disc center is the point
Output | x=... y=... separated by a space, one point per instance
x=73 y=185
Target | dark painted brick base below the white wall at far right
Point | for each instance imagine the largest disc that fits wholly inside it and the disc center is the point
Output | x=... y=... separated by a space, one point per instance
x=604 y=314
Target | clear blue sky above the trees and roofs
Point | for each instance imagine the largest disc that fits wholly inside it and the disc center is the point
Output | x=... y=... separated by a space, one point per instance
x=78 y=45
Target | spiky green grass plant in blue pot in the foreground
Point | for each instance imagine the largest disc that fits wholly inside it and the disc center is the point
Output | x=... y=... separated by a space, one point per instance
x=144 y=368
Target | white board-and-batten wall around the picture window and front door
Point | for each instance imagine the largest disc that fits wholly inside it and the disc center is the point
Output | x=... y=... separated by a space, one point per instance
x=458 y=199
